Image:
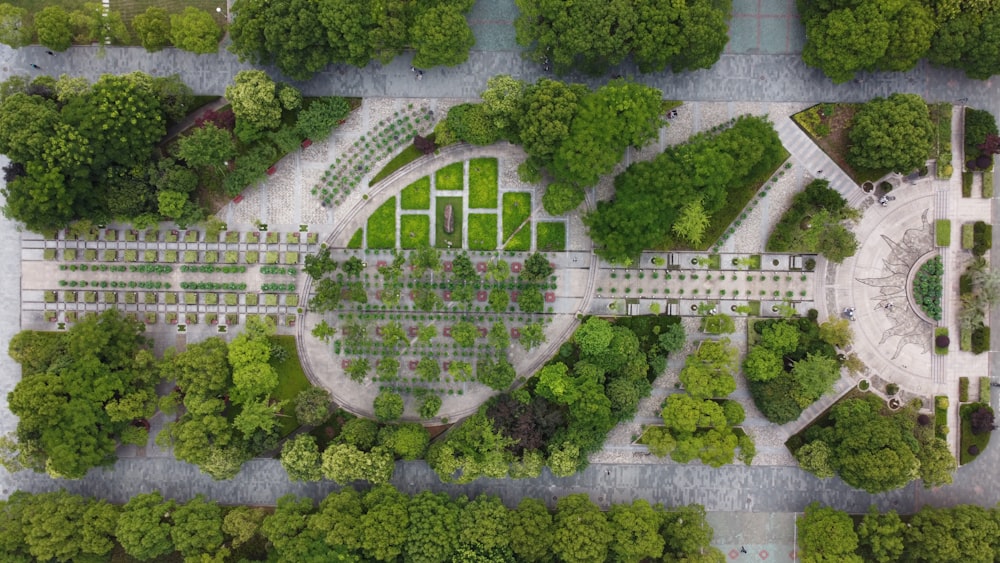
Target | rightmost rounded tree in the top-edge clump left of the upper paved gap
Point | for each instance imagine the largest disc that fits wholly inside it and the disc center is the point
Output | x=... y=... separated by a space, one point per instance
x=441 y=36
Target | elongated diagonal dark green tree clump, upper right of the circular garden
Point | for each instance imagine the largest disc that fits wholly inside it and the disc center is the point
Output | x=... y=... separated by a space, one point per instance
x=649 y=196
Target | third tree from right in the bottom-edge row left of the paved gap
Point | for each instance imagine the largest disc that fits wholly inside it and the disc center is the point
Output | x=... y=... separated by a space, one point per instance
x=581 y=531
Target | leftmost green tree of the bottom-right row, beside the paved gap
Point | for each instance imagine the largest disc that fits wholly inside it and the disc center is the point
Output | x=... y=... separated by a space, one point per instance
x=826 y=534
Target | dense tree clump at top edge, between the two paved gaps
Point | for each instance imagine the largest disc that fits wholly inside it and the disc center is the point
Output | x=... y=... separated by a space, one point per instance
x=594 y=36
